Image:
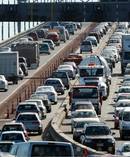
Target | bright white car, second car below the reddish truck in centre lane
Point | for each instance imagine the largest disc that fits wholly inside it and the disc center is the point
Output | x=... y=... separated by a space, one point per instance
x=86 y=114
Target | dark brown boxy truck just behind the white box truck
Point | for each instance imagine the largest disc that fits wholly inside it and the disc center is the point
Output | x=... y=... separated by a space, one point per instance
x=29 y=50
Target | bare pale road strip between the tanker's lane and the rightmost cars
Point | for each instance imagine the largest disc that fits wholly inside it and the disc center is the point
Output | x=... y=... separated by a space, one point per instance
x=108 y=105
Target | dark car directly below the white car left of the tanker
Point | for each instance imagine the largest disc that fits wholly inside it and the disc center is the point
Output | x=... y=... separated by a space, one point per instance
x=63 y=76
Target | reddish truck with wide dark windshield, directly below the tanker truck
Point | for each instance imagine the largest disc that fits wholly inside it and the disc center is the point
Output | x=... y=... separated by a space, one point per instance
x=85 y=93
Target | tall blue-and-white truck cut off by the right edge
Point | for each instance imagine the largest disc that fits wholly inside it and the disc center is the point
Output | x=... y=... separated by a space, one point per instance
x=125 y=53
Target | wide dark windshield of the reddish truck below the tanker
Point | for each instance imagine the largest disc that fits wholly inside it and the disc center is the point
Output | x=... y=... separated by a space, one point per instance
x=85 y=93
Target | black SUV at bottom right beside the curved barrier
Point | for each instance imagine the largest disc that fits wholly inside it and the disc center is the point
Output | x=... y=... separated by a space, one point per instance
x=99 y=137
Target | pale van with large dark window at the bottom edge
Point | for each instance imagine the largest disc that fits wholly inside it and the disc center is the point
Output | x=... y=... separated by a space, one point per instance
x=42 y=149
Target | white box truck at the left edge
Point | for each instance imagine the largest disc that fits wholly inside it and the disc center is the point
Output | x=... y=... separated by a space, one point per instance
x=9 y=65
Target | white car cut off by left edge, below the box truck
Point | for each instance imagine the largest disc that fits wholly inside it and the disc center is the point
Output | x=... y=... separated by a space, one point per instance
x=3 y=83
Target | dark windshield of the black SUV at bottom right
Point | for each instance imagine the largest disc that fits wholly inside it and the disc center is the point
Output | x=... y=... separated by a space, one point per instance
x=97 y=130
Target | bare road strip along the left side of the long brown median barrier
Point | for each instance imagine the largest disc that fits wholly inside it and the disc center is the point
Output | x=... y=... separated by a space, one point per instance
x=43 y=60
